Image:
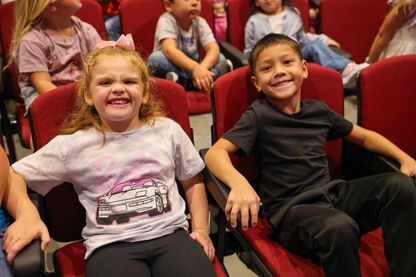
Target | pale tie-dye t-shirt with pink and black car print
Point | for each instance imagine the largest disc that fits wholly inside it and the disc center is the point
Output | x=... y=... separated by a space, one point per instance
x=127 y=186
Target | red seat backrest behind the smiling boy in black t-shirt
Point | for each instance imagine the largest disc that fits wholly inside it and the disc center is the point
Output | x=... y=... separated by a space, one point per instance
x=234 y=92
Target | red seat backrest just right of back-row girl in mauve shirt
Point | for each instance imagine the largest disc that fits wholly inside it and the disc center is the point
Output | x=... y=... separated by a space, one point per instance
x=92 y=13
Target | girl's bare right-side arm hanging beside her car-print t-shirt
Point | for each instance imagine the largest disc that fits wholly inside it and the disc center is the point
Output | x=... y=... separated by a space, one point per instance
x=196 y=199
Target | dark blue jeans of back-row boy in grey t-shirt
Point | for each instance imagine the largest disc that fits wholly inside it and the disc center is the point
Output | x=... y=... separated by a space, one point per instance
x=158 y=61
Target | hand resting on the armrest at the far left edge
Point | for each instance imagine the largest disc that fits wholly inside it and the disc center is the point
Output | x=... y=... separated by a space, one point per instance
x=21 y=233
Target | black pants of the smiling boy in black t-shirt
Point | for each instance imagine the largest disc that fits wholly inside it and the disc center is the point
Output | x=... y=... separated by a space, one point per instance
x=332 y=230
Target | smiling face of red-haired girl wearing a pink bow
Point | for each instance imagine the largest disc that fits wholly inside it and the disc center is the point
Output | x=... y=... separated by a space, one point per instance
x=116 y=91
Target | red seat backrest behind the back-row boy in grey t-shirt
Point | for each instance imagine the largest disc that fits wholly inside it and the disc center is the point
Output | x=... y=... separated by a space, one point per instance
x=139 y=18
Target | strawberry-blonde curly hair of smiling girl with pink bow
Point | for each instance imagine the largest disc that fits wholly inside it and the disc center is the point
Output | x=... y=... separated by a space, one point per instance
x=86 y=116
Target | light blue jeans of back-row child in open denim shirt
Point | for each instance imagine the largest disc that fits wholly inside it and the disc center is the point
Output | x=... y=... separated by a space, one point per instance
x=318 y=52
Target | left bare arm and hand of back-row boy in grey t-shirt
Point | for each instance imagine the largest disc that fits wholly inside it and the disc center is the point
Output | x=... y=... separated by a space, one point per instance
x=202 y=76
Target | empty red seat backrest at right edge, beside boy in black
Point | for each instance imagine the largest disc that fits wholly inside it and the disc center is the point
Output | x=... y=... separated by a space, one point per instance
x=386 y=90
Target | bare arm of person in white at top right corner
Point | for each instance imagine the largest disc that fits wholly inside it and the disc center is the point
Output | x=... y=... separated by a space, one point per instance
x=389 y=26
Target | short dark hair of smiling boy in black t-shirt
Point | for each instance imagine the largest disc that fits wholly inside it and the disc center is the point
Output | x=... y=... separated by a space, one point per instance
x=270 y=40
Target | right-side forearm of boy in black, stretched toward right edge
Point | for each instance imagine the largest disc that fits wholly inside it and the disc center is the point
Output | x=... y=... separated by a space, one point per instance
x=375 y=142
